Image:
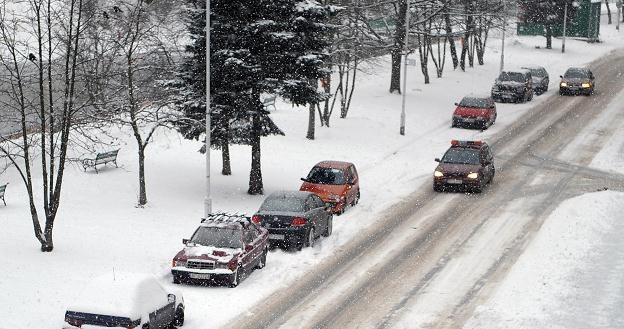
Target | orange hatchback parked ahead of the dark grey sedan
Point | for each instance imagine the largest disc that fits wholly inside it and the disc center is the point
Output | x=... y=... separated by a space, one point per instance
x=336 y=182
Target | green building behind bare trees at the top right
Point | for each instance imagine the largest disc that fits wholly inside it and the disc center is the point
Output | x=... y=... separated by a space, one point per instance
x=584 y=24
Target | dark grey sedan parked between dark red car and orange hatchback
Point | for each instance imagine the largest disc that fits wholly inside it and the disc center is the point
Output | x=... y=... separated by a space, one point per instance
x=294 y=218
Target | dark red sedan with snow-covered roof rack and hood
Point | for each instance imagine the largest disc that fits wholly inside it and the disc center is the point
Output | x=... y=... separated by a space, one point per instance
x=223 y=248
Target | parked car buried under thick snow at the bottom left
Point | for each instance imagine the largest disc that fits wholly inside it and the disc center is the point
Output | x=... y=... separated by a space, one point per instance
x=125 y=300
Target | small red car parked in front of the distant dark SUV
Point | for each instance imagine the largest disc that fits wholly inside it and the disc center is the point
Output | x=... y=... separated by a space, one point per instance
x=478 y=112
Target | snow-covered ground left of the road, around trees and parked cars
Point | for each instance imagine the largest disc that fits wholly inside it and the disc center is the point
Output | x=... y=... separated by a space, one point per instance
x=99 y=229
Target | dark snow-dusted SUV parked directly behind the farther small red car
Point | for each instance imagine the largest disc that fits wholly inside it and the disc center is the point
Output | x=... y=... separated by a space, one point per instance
x=513 y=86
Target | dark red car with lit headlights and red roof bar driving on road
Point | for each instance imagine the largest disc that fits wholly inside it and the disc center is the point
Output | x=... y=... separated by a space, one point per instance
x=466 y=164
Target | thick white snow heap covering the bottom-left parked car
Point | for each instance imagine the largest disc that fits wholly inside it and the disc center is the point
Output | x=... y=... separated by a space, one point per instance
x=129 y=295
